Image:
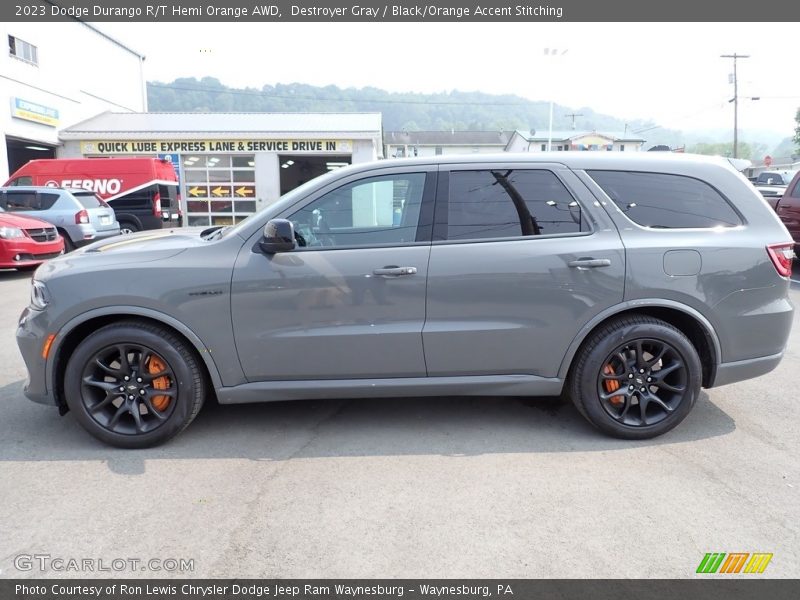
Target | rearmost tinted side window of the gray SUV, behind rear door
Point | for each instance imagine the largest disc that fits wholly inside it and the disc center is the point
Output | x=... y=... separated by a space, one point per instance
x=666 y=201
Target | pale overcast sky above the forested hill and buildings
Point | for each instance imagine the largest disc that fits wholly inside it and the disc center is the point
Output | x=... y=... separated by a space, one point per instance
x=671 y=73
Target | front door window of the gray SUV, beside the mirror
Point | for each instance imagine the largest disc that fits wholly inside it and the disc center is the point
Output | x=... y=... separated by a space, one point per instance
x=374 y=211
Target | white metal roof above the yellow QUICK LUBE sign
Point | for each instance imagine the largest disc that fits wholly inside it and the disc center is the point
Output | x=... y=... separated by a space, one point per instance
x=194 y=124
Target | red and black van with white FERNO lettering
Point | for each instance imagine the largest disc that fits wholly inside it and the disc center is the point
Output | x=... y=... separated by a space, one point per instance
x=142 y=191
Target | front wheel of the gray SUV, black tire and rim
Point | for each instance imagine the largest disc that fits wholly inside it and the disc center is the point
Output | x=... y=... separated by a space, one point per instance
x=165 y=384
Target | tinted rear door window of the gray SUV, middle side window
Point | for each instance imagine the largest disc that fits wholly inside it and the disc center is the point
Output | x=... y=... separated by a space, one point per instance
x=510 y=203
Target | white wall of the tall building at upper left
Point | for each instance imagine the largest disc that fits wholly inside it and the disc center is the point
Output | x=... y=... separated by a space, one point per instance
x=80 y=73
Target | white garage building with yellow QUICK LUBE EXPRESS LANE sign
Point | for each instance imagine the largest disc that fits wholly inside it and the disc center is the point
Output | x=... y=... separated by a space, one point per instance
x=231 y=164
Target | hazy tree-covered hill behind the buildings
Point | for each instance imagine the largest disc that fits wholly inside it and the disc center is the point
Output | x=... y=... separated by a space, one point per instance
x=405 y=110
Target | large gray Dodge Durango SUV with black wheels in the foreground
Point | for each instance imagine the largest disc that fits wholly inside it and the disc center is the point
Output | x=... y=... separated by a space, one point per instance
x=626 y=282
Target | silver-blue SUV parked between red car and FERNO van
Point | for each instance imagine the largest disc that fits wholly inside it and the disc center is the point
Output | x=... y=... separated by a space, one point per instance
x=79 y=215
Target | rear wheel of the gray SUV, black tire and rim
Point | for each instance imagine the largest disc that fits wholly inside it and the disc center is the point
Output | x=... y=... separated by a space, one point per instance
x=636 y=378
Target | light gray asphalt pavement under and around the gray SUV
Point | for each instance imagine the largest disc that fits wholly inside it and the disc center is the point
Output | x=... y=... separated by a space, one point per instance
x=448 y=487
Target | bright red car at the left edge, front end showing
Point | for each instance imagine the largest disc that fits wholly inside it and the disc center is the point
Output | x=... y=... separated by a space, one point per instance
x=25 y=243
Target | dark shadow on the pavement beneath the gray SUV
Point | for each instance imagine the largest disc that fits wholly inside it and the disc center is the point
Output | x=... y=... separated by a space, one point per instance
x=279 y=431
